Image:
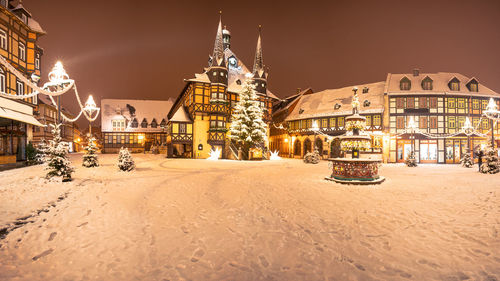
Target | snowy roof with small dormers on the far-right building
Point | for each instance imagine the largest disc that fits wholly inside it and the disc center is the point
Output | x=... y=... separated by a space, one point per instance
x=440 y=82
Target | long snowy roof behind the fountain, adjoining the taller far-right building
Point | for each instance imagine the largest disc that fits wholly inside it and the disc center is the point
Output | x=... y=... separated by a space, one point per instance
x=322 y=104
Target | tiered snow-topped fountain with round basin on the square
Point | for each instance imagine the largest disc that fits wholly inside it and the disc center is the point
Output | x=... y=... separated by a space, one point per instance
x=355 y=170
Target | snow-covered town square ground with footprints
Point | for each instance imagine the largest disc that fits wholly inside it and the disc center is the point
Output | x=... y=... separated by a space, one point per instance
x=174 y=219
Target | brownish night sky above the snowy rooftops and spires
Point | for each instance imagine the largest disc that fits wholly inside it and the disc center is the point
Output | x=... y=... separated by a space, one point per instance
x=144 y=49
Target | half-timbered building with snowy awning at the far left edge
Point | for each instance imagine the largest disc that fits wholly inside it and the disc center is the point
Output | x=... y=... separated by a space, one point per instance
x=19 y=34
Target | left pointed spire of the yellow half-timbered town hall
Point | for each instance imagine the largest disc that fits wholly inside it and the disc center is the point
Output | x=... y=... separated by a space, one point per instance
x=217 y=70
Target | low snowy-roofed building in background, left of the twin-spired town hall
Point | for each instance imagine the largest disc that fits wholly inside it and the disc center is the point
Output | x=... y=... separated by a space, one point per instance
x=139 y=125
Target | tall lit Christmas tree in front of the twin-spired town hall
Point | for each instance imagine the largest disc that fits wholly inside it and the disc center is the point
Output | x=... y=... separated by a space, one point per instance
x=248 y=128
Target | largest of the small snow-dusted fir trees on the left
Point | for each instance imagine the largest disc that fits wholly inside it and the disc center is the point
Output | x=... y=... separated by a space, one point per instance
x=58 y=164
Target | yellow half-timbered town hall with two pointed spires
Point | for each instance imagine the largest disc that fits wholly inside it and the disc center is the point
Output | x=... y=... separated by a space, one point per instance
x=201 y=115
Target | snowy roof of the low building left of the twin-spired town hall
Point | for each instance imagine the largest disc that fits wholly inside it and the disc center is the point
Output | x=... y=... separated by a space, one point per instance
x=125 y=109
